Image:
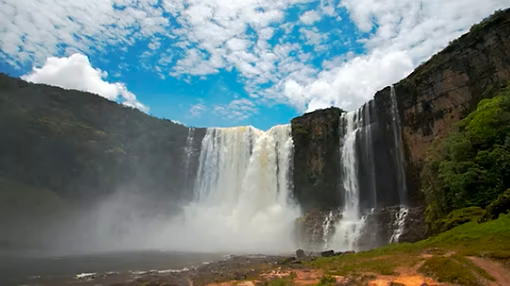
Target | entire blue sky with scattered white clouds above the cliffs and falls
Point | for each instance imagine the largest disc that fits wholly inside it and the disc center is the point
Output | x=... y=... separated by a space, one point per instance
x=229 y=62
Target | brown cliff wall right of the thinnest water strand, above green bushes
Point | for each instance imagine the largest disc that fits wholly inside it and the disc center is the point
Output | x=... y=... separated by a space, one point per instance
x=447 y=87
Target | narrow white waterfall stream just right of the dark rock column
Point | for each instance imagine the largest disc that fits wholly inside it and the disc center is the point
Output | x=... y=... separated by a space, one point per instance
x=349 y=227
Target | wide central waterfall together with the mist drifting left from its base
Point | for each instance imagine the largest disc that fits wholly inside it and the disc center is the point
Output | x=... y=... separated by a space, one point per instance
x=241 y=203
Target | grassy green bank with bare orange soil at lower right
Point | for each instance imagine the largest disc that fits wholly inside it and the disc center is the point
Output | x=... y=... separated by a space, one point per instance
x=442 y=257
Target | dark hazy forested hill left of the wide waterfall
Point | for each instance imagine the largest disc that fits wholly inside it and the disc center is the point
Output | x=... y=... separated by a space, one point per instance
x=81 y=147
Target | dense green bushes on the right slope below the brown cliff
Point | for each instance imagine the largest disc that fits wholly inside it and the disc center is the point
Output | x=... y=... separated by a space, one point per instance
x=471 y=167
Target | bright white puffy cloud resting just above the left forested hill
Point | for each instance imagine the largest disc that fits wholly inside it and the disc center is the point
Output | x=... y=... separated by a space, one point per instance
x=76 y=72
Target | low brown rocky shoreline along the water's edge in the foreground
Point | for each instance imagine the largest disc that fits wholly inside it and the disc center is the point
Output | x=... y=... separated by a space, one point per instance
x=232 y=268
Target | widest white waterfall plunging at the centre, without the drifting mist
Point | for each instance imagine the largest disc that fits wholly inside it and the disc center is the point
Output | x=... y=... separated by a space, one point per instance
x=242 y=194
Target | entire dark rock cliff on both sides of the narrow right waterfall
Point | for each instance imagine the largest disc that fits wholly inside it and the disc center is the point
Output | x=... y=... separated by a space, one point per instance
x=428 y=102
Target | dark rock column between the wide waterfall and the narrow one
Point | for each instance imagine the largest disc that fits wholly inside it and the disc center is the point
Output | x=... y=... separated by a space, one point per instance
x=316 y=159
